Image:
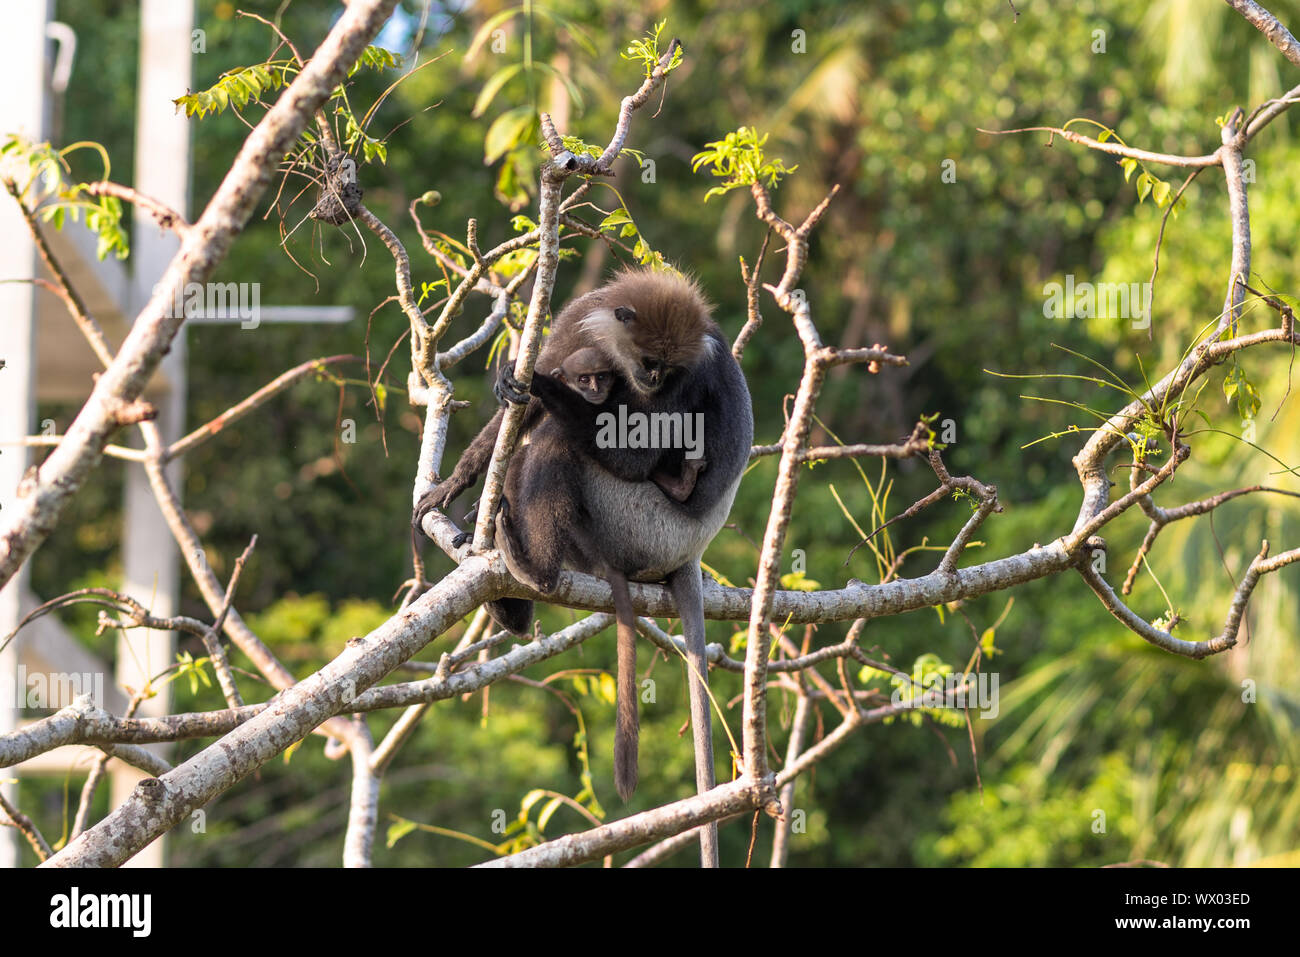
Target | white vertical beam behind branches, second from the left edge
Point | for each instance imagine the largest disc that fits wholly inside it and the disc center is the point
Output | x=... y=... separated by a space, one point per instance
x=150 y=557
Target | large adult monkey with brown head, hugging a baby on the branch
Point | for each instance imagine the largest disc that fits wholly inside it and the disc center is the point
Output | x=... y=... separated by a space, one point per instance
x=644 y=532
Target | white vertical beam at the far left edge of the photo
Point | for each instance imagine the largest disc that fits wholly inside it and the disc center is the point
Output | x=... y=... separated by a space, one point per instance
x=23 y=110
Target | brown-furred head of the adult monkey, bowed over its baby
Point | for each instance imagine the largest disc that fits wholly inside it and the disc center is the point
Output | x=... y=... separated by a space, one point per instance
x=651 y=324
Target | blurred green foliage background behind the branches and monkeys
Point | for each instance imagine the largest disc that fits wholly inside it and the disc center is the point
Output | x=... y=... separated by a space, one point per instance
x=1094 y=725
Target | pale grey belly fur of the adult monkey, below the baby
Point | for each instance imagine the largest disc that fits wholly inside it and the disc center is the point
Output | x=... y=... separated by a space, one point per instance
x=653 y=534
